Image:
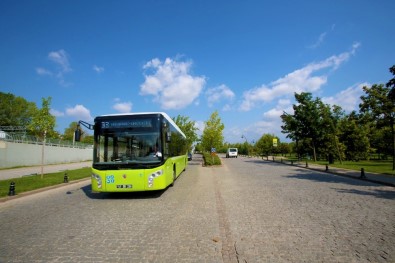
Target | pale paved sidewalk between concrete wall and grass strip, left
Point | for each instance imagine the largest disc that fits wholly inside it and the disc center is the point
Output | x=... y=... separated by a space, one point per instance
x=32 y=170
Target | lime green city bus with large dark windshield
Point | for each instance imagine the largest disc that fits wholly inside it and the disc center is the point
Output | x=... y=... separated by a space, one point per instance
x=137 y=152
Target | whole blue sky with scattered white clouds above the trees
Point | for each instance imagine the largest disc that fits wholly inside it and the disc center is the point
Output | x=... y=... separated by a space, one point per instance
x=245 y=59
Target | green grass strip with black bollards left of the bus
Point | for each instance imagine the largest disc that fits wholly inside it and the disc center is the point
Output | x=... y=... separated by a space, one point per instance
x=34 y=182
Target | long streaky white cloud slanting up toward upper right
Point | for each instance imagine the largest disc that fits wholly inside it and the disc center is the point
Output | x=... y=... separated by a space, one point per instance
x=300 y=80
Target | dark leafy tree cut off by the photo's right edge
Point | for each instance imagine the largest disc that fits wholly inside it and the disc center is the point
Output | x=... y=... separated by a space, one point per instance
x=378 y=105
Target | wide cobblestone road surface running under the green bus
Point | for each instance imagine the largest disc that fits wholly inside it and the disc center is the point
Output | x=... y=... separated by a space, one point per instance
x=245 y=211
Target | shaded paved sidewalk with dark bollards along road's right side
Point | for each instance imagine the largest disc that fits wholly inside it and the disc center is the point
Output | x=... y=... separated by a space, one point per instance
x=371 y=177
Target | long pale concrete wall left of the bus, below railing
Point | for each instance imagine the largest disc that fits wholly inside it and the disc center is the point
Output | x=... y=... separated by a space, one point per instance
x=22 y=154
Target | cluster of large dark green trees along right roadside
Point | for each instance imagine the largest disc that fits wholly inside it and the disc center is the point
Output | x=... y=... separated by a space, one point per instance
x=326 y=131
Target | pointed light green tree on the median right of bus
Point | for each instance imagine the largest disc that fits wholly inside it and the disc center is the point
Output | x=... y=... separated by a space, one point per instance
x=212 y=136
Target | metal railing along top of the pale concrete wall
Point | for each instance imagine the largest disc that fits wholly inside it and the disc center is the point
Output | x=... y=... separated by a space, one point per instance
x=29 y=139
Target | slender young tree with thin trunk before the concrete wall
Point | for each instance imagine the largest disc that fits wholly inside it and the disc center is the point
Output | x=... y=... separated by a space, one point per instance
x=43 y=123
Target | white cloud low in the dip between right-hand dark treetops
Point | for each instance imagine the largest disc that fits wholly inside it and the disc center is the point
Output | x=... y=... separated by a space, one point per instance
x=349 y=99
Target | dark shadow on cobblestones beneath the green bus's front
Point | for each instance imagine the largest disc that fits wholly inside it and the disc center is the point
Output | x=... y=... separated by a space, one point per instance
x=126 y=195
